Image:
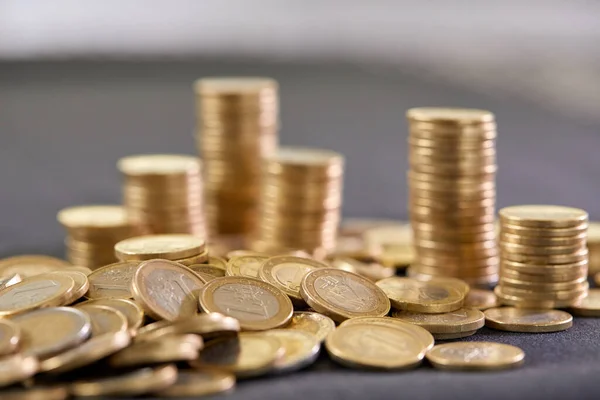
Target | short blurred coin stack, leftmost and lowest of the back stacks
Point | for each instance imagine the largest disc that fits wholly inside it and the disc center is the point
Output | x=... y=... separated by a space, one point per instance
x=92 y=232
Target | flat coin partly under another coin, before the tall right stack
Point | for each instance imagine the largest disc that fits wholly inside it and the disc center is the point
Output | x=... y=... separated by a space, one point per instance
x=463 y=320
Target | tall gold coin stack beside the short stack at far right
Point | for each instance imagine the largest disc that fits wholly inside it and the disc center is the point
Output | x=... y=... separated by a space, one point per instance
x=452 y=193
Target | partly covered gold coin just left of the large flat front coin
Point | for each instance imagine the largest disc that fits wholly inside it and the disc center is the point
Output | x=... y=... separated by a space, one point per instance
x=301 y=349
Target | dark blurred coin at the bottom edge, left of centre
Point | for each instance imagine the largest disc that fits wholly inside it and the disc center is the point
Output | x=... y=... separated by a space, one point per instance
x=192 y=383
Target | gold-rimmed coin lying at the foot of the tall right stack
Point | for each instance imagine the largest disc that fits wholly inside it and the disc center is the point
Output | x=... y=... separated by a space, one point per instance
x=428 y=297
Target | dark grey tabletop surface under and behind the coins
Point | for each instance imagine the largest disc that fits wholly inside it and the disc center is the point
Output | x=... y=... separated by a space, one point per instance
x=64 y=125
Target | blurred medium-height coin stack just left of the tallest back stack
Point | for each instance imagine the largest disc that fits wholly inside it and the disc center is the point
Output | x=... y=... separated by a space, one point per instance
x=163 y=193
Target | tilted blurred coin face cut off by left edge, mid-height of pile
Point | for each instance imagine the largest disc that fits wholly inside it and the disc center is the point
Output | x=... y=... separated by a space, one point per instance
x=36 y=292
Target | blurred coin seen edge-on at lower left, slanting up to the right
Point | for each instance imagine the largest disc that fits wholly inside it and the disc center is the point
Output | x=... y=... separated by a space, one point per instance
x=87 y=353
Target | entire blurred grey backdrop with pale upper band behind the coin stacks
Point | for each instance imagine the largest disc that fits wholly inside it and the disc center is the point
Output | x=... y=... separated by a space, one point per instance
x=85 y=83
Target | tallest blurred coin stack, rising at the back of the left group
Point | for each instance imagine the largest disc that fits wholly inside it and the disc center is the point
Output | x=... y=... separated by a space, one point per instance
x=237 y=127
